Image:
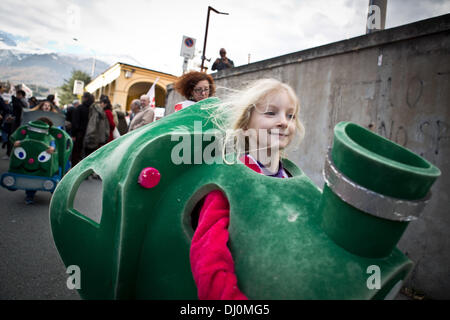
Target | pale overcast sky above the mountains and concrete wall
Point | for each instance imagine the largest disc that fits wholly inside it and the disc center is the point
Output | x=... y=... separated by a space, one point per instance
x=149 y=32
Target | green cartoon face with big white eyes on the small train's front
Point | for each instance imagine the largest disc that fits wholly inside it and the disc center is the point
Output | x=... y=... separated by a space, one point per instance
x=32 y=158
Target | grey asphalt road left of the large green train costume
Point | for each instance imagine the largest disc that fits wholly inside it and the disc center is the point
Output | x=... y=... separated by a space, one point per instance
x=30 y=266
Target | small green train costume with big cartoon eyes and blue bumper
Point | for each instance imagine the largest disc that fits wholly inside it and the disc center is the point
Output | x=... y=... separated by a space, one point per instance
x=31 y=167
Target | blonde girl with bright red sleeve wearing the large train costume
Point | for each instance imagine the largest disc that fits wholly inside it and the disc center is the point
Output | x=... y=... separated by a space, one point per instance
x=259 y=123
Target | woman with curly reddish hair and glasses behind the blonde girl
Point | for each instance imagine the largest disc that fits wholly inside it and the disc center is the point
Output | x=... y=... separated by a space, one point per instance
x=194 y=86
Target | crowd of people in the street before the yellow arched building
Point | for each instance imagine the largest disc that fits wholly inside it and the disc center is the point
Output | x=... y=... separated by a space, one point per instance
x=90 y=123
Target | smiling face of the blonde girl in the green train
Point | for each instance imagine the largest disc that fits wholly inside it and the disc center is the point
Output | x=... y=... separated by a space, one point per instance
x=273 y=121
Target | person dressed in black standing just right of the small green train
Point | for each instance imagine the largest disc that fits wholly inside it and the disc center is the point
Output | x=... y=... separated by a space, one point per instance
x=80 y=118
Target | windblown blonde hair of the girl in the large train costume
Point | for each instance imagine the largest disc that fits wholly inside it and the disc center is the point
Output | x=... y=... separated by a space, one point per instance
x=233 y=115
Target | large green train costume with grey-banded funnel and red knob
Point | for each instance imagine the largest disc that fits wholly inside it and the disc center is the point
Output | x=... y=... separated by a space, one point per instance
x=289 y=239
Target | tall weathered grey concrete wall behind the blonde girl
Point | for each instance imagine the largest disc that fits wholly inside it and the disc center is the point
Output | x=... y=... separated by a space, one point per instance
x=396 y=82
